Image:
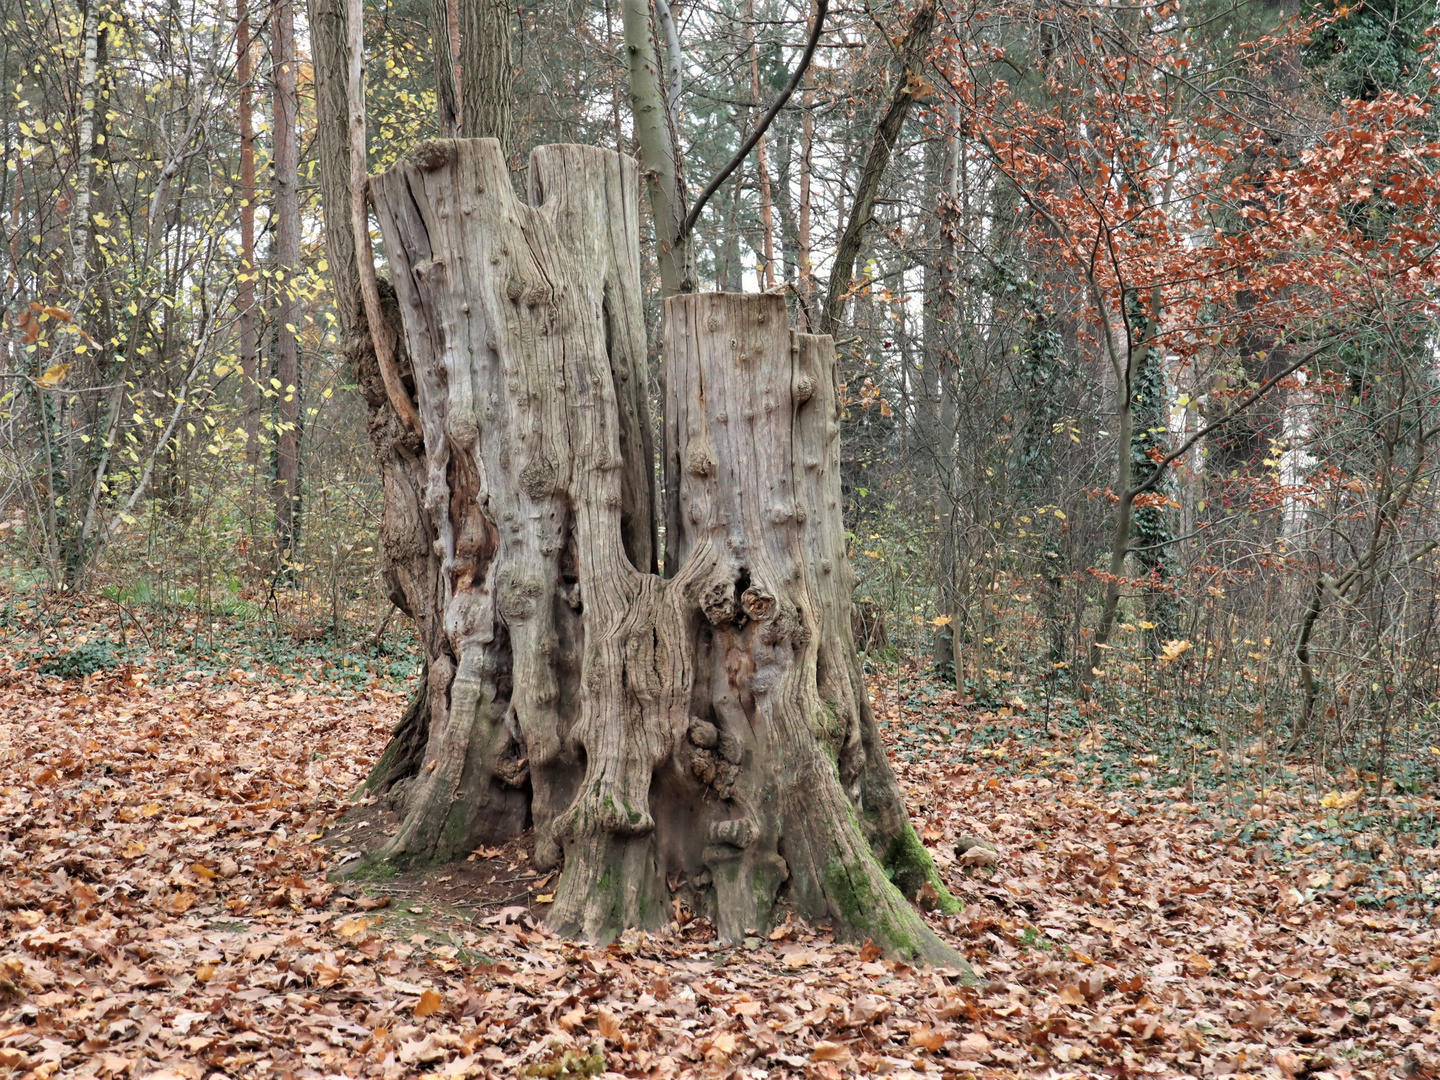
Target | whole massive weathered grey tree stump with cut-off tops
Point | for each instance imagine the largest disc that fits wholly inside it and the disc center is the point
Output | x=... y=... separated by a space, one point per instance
x=702 y=737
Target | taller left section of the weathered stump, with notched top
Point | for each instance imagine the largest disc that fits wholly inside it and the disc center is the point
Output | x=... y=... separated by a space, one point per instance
x=526 y=336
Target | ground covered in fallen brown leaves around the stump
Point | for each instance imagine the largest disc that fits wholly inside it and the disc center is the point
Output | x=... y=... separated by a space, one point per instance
x=168 y=833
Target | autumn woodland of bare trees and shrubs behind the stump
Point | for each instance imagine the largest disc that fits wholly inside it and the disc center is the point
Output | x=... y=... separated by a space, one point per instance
x=1138 y=348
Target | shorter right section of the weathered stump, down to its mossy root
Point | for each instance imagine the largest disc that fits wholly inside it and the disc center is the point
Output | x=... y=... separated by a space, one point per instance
x=752 y=418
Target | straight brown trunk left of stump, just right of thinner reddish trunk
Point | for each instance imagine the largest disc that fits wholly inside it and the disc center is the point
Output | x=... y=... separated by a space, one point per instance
x=287 y=266
